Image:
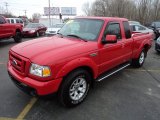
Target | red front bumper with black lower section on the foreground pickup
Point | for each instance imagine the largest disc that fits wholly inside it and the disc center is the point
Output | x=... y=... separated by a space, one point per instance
x=32 y=86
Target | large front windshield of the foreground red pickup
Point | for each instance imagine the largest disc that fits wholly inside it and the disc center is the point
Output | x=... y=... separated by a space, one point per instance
x=87 y=29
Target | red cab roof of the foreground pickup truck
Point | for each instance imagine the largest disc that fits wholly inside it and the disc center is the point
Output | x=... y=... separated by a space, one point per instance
x=106 y=18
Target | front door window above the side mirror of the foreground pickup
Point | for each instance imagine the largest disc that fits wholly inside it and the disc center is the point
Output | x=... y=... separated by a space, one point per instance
x=113 y=29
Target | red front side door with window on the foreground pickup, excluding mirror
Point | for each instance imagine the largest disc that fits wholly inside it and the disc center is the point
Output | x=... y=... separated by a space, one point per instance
x=111 y=54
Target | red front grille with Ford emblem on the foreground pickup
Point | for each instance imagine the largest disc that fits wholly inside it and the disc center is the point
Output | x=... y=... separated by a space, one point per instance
x=17 y=62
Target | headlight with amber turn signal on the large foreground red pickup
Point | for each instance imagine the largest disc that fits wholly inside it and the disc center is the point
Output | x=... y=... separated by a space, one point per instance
x=41 y=71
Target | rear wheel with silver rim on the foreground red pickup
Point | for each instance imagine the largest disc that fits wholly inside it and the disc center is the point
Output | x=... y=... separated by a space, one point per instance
x=140 y=60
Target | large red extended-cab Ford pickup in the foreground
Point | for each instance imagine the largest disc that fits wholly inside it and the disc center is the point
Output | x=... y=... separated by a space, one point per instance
x=84 y=51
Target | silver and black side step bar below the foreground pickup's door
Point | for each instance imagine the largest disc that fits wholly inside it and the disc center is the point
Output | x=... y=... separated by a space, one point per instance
x=111 y=72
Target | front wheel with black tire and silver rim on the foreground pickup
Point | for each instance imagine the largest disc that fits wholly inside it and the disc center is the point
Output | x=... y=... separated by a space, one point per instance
x=69 y=93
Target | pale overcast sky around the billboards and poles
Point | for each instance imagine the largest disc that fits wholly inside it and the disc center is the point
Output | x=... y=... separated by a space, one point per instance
x=17 y=7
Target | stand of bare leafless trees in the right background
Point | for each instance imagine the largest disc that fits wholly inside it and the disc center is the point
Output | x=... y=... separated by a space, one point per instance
x=144 y=11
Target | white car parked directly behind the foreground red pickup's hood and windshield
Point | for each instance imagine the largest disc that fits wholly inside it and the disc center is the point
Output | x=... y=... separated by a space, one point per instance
x=54 y=29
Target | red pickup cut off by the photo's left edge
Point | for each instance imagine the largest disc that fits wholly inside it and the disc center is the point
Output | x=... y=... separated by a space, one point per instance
x=10 y=30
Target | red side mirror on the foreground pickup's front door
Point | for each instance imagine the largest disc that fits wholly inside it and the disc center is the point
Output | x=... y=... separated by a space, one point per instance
x=110 y=39
